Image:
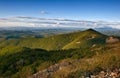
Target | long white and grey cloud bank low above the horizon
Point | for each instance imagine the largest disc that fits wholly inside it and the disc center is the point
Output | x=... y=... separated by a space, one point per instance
x=45 y=22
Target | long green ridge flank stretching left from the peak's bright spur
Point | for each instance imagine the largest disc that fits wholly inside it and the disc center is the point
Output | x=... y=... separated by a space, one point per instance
x=49 y=43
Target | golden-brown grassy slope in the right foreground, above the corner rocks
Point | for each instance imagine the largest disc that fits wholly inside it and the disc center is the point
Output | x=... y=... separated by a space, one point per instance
x=108 y=59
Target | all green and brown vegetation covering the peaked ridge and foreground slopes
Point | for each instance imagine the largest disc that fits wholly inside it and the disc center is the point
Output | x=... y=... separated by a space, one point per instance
x=21 y=58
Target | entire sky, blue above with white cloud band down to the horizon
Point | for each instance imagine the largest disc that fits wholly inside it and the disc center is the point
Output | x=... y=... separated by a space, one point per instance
x=60 y=13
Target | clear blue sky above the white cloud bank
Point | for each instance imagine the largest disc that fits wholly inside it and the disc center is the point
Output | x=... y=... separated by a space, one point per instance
x=108 y=10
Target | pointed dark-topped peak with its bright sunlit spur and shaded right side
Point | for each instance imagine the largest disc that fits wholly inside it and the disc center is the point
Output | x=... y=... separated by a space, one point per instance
x=88 y=38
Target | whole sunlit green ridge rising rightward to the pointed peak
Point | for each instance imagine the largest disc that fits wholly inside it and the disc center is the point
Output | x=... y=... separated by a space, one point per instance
x=63 y=41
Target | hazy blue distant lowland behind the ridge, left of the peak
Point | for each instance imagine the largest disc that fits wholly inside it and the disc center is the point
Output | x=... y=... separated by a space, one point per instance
x=28 y=32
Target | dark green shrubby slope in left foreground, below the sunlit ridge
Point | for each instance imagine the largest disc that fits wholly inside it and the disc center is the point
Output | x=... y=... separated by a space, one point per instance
x=16 y=60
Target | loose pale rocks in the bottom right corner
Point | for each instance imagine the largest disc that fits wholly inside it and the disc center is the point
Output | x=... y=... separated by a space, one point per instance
x=108 y=73
